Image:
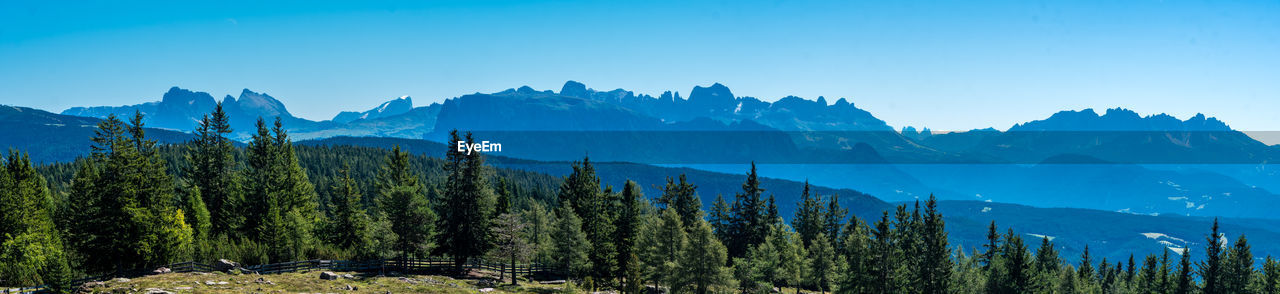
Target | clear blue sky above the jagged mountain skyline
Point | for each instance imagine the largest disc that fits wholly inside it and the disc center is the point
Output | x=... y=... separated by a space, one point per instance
x=949 y=66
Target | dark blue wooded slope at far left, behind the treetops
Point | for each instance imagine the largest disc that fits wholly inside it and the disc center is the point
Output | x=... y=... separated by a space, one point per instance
x=53 y=137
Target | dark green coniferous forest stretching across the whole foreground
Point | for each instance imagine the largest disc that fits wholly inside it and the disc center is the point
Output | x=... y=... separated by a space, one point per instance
x=134 y=204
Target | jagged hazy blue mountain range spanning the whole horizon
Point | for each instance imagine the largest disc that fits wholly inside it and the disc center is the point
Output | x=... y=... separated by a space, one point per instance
x=1114 y=162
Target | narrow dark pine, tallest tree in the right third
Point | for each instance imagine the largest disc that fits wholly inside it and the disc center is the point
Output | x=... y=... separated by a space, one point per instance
x=935 y=270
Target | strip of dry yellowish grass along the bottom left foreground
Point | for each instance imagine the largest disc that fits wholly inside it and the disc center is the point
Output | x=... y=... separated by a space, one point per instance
x=308 y=283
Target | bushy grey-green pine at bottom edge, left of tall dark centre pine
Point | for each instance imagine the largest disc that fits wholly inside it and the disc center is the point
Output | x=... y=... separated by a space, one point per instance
x=702 y=265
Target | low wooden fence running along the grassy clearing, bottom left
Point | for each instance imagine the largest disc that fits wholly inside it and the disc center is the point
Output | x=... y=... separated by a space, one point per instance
x=382 y=267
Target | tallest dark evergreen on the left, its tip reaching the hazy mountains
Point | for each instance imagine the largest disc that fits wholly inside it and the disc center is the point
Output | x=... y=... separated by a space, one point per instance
x=212 y=169
